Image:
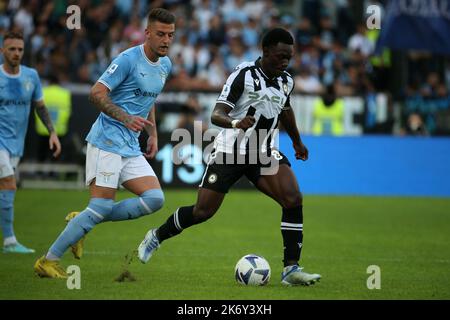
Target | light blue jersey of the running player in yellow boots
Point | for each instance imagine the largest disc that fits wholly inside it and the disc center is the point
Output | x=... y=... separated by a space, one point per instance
x=134 y=82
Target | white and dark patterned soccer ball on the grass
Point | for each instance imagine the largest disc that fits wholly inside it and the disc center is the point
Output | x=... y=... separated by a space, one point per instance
x=252 y=270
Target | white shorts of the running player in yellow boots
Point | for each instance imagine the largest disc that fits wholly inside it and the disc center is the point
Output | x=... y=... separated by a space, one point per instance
x=111 y=169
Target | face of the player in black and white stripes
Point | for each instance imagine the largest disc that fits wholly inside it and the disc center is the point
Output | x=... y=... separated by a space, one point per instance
x=277 y=58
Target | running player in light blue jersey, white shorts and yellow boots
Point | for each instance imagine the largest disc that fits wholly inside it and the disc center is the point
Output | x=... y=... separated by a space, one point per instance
x=125 y=95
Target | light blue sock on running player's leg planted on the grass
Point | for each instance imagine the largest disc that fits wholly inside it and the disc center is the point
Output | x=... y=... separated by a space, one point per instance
x=96 y=211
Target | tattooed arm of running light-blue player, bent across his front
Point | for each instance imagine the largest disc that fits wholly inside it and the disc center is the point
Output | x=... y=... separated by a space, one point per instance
x=99 y=97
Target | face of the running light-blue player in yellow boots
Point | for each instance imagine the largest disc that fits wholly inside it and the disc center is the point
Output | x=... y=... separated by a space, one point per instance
x=159 y=36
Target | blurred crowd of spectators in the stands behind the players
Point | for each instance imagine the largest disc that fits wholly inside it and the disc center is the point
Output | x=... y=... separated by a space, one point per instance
x=333 y=45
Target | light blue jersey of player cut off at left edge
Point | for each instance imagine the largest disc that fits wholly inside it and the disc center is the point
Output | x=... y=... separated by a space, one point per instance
x=16 y=94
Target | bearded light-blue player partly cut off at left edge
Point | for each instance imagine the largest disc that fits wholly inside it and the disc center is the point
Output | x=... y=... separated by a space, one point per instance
x=20 y=87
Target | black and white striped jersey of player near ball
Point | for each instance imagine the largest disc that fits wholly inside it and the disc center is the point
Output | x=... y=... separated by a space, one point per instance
x=250 y=92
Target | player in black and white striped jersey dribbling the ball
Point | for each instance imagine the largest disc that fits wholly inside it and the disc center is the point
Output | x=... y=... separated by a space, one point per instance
x=253 y=100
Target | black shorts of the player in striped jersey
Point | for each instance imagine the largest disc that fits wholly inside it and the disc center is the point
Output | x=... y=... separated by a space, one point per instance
x=220 y=175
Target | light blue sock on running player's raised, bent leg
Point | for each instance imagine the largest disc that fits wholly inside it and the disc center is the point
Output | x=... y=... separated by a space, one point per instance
x=148 y=202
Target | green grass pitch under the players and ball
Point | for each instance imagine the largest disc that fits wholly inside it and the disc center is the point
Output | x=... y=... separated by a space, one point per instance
x=408 y=238
